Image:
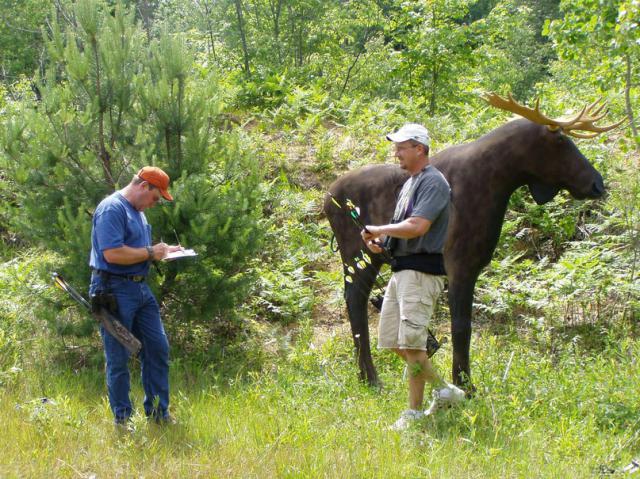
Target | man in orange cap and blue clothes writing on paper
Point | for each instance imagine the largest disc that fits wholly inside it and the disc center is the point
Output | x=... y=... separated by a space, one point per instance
x=121 y=253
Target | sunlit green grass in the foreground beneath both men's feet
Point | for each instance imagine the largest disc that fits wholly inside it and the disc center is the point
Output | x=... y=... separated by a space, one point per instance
x=304 y=414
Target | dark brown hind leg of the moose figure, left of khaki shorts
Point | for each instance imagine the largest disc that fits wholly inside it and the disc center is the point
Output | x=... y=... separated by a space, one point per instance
x=356 y=295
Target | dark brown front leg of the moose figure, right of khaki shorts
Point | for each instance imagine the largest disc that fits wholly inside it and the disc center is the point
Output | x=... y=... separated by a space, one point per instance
x=460 y=304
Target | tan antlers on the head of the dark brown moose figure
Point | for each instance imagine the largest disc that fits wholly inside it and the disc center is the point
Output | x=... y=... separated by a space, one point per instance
x=583 y=121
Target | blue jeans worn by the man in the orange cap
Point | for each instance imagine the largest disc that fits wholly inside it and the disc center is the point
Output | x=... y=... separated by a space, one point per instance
x=139 y=312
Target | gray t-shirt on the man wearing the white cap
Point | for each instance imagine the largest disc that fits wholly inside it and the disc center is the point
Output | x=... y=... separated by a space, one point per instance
x=426 y=195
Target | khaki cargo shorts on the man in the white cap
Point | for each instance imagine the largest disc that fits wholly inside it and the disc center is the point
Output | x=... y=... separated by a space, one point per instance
x=408 y=304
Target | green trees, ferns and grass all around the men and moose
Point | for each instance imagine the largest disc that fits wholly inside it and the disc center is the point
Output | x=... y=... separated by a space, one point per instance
x=253 y=107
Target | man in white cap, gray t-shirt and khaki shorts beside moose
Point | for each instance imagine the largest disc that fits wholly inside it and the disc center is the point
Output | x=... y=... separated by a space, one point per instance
x=415 y=238
